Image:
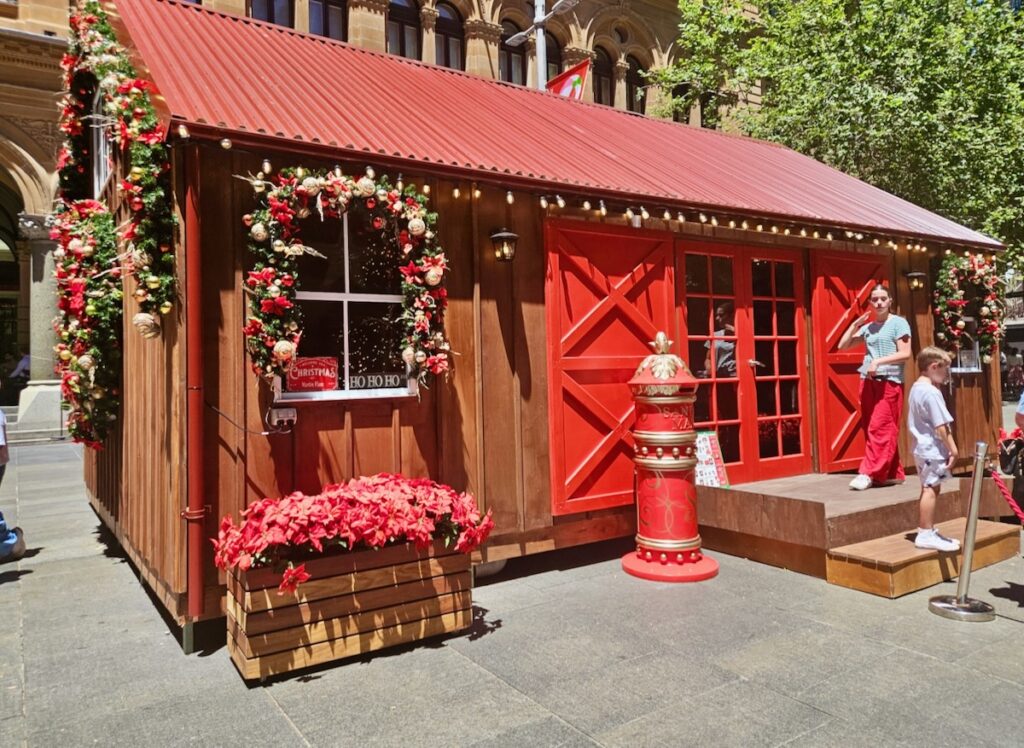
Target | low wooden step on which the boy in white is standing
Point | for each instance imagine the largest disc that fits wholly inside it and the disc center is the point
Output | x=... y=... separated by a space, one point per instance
x=893 y=566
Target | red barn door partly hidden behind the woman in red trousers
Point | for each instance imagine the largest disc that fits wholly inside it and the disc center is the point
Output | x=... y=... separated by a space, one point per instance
x=842 y=286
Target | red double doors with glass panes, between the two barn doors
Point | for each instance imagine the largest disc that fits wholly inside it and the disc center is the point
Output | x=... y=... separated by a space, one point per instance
x=744 y=318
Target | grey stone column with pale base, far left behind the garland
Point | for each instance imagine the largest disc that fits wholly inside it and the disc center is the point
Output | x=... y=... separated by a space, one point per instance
x=39 y=405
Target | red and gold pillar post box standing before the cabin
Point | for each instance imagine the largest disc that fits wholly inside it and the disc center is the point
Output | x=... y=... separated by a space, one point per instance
x=665 y=444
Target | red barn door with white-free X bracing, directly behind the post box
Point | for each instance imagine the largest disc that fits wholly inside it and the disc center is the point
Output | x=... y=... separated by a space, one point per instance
x=609 y=292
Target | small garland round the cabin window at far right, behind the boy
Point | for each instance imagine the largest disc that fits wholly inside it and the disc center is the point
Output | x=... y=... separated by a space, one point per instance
x=969 y=287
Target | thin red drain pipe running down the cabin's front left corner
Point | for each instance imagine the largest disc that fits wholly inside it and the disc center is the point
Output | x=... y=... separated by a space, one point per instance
x=195 y=516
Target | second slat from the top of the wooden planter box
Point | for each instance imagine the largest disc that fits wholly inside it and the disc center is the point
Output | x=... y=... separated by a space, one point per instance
x=308 y=613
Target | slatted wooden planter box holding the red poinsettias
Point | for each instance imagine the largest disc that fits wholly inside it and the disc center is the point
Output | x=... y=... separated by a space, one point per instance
x=353 y=604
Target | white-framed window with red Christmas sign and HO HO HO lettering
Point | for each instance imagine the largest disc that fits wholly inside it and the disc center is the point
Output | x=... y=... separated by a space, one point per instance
x=352 y=308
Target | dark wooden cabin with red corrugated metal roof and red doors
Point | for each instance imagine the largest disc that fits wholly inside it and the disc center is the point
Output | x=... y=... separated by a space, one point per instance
x=646 y=226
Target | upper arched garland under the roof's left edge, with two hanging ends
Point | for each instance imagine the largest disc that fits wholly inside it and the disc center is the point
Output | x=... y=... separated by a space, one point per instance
x=97 y=62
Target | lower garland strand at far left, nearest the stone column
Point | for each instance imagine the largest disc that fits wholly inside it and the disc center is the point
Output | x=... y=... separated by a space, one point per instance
x=89 y=325
